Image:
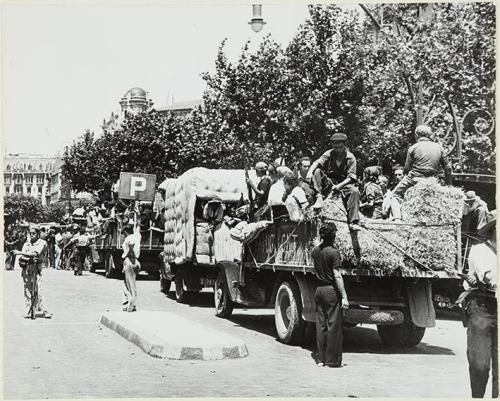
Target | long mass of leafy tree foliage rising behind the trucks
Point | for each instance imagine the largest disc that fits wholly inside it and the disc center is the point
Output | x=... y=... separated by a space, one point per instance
x=338 y=73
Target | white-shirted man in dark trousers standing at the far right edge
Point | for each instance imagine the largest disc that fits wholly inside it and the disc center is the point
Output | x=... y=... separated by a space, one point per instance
x=480 y=304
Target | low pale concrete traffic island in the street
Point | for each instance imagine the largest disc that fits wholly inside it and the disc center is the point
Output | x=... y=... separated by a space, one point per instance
x=166 y=335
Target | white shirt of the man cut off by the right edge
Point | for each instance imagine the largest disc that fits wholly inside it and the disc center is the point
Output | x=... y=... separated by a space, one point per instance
x=483 y=263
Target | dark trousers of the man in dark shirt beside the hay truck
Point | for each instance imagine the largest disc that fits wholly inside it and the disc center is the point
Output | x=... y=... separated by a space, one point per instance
x=329 y=334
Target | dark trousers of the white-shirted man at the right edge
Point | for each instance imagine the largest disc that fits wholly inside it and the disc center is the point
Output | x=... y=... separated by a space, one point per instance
x=482 y=345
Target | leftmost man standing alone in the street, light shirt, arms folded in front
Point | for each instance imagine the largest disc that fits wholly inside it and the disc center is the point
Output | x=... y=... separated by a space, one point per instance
x=31 y=263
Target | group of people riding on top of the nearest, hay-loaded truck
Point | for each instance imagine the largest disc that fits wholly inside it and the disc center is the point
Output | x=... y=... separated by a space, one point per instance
x=377 y=196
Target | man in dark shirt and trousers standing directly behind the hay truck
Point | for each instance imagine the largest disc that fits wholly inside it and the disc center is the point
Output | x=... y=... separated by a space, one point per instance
x=330 y=298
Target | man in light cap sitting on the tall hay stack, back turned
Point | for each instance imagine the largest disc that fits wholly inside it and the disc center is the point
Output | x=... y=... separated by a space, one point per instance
x=424 y=159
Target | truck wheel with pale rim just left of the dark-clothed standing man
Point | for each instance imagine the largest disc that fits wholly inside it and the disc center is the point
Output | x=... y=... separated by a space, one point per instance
x=288 y=314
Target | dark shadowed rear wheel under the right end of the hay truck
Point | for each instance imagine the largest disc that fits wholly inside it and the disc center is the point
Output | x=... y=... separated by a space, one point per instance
x=403 y=335
